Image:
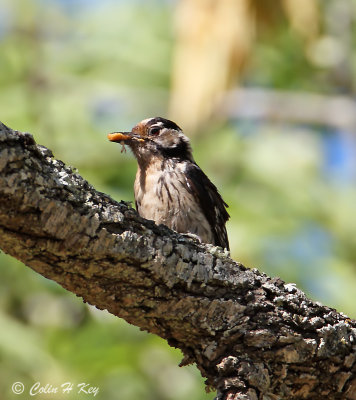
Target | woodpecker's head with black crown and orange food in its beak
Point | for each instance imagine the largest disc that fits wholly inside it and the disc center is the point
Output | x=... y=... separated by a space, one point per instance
x=155 y=137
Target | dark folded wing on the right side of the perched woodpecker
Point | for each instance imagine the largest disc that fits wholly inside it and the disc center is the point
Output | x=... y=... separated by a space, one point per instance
x=210 y=201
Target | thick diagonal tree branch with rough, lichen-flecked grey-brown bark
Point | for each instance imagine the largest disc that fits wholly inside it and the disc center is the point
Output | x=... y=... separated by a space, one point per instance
x=251 y=336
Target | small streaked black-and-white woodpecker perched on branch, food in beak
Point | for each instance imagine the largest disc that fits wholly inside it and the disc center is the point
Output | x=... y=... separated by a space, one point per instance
x=170 y=188
